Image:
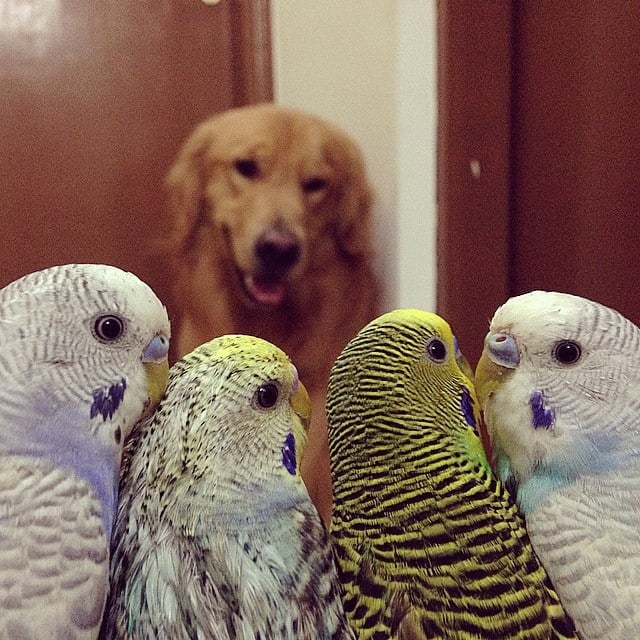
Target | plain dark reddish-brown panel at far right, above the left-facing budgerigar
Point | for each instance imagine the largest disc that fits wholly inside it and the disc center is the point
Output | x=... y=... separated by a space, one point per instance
x=576 y=151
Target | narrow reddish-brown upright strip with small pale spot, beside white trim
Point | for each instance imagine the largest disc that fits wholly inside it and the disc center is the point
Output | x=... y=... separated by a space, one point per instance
x=473 y=208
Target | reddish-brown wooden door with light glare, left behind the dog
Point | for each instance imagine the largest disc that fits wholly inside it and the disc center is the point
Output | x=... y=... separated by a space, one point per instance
x=95 y=99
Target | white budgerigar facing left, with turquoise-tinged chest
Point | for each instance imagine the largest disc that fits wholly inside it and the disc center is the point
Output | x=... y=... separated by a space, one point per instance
x=559 y=380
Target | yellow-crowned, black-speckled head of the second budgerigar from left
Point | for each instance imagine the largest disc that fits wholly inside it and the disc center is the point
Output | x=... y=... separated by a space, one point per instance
x=234 y=402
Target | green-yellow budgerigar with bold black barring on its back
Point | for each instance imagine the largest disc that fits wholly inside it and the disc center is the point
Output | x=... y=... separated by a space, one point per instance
x=428 y=543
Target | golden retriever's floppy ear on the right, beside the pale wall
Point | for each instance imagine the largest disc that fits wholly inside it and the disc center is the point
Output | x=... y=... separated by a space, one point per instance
x=354 y=204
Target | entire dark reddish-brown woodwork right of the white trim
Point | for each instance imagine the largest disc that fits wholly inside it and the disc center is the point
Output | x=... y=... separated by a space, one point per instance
x=544 y=97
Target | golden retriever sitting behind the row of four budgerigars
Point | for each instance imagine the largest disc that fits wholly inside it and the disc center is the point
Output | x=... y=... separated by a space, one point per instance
x=270 y=209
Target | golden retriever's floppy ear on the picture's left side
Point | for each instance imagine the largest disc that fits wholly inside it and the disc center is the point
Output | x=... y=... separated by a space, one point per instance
x=185 y=184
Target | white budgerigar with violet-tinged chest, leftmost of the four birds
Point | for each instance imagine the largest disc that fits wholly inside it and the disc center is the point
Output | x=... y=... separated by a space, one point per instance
x=84 y=356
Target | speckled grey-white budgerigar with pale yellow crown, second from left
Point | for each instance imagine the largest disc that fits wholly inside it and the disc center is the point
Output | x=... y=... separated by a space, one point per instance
x=216 y=536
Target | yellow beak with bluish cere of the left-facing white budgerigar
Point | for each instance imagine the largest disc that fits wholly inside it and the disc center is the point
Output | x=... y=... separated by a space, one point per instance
x=499 y=359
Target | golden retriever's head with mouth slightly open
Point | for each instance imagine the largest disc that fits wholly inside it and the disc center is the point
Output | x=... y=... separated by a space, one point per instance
x=281 y=189
